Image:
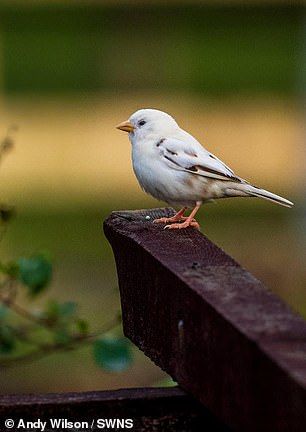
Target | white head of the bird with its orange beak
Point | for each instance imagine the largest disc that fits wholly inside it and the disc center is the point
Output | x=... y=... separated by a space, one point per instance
x=146 y=122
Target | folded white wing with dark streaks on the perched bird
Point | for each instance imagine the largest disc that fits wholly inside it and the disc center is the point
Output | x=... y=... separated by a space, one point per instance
x=193 y=158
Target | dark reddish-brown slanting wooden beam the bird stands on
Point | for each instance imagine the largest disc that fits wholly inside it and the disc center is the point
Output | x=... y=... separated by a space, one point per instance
x=210 y=324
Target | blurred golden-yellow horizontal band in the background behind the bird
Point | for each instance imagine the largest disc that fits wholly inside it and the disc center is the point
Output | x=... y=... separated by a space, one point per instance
x=73 y=140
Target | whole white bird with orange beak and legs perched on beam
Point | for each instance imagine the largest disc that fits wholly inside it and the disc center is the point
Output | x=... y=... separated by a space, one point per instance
x=172 y=166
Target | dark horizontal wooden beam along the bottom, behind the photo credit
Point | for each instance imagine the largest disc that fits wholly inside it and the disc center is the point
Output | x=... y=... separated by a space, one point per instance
x=151 y=409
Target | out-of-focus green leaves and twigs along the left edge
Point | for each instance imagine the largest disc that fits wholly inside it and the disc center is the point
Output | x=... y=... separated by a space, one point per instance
x=27 y=335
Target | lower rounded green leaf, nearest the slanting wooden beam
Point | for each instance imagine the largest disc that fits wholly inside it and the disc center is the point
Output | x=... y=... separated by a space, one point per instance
x=112 y=354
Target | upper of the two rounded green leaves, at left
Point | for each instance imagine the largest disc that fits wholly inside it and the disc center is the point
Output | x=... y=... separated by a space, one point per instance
x=35 y=272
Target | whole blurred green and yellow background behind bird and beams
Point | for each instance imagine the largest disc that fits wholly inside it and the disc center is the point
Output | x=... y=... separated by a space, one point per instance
x=230 y=72
